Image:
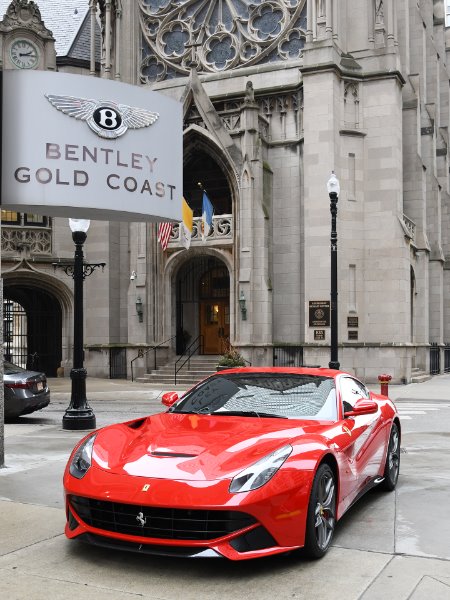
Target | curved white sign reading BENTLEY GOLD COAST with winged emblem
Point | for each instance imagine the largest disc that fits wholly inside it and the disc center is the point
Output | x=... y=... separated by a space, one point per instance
x=83 y=147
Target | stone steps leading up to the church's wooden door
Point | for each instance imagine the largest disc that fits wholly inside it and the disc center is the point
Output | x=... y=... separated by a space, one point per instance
x=198 y=368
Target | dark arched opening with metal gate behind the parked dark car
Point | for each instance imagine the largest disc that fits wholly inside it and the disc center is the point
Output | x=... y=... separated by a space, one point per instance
x=32 y=320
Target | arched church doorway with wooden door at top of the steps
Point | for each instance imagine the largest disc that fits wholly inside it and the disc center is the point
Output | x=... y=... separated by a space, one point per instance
x=203 y=305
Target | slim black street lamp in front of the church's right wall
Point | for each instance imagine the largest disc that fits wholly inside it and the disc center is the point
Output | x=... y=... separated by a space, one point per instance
x=333 y=191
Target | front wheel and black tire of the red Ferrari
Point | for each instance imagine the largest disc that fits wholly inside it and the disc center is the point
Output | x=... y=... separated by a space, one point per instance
x=321 y=517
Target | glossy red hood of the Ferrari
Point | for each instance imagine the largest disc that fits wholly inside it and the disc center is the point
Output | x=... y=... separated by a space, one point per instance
x=193 y=447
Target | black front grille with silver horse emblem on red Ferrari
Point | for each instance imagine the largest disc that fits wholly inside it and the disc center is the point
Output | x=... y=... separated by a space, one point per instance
x=160 y=523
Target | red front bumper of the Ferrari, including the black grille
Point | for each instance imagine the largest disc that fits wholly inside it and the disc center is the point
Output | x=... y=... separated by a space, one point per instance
x=181 y=518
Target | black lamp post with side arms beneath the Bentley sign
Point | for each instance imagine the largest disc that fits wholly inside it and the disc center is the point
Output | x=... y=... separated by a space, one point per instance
x=78 y=415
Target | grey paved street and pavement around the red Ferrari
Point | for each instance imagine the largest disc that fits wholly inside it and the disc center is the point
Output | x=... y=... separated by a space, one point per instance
x=390 y=545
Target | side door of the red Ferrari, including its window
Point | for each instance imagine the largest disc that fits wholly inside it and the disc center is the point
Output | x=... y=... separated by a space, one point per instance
x=361 y=440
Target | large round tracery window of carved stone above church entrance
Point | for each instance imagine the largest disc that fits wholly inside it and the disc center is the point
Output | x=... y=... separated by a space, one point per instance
x=217 y=35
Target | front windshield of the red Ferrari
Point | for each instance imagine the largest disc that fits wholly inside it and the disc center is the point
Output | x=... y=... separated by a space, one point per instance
x=263 y=395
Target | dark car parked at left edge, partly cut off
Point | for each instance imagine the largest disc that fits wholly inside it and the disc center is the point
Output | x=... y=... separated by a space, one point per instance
x=25 y=391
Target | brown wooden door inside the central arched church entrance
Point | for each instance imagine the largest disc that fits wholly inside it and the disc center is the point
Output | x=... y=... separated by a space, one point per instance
x=215 y=325
